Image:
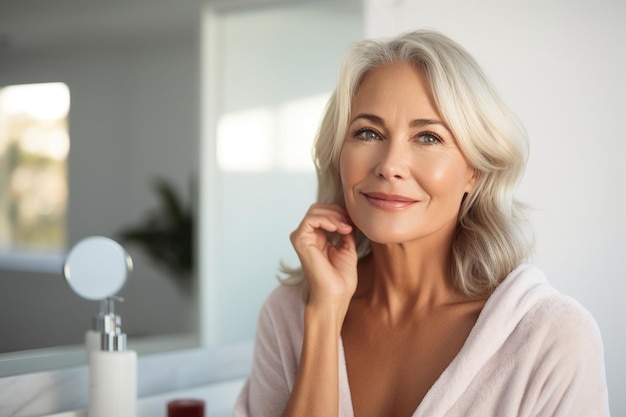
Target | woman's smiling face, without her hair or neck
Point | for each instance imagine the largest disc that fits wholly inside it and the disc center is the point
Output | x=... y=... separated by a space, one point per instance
x=402 y=172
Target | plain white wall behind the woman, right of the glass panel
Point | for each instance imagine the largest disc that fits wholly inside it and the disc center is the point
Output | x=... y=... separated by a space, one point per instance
x=560 y=65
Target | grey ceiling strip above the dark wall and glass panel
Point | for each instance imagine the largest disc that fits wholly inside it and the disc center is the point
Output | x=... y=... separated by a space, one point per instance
x=28 y=26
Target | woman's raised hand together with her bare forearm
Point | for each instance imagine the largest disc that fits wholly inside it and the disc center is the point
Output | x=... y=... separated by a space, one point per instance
x=330 y=271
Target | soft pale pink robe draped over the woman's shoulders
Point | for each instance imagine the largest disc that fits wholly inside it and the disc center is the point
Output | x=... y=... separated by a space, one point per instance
x=532 y=352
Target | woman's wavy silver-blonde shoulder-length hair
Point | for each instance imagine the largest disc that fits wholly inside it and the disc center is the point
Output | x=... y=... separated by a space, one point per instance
x=492 y=236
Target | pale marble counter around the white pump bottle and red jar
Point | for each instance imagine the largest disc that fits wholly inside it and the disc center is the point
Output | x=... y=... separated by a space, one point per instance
x=214 y=373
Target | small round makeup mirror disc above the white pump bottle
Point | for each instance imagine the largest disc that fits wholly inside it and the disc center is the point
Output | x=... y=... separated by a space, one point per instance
x=97 y=267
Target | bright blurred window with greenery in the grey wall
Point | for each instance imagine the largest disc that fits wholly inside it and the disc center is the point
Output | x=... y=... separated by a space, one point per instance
x=34 y=145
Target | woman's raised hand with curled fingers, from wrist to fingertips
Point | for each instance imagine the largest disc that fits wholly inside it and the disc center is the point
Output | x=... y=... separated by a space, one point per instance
x=330 y=269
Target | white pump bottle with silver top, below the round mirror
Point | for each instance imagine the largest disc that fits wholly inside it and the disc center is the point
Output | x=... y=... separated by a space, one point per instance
x=112 y=371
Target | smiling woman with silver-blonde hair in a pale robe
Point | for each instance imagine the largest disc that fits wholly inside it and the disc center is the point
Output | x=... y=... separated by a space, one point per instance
x=417 y=300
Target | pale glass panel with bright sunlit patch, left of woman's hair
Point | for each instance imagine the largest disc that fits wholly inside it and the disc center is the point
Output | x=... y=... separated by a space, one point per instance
x=277 y=72
